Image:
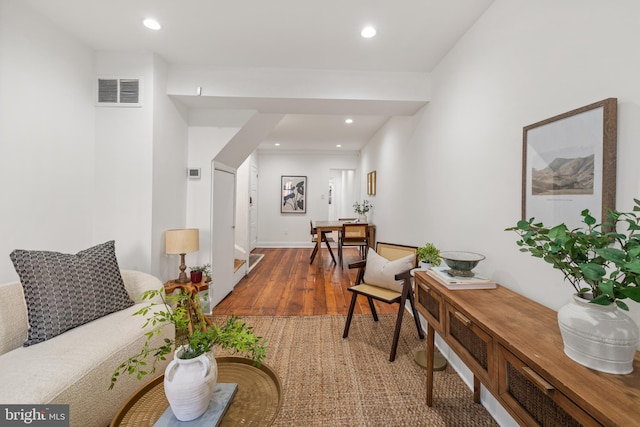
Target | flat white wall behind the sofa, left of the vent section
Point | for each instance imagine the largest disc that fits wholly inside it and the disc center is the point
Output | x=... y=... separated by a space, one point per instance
x=46 y=137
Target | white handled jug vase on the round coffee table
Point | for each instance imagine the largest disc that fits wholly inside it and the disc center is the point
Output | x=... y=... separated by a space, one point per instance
x=189 y=385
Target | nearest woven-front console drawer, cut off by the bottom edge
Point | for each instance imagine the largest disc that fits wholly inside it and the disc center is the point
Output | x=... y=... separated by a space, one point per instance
x=534 y=400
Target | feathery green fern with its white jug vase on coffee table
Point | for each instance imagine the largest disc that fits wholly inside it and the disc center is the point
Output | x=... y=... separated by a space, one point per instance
x=193 y=370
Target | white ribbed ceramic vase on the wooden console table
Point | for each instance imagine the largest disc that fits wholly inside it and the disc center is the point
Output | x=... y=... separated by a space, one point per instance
x=600 y=337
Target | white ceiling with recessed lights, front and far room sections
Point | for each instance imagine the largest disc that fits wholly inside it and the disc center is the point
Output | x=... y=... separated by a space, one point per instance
x=413 y=36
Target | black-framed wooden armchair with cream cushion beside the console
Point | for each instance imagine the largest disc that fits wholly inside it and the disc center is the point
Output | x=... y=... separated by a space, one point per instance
x=388 y=280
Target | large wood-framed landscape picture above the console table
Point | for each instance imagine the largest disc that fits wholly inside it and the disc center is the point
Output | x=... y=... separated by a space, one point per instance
x=569 y=164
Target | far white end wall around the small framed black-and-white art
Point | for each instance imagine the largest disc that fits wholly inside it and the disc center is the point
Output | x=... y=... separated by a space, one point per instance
x=292 y=230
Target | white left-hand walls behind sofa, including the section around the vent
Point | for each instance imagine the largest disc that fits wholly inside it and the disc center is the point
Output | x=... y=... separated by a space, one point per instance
x=75 y=174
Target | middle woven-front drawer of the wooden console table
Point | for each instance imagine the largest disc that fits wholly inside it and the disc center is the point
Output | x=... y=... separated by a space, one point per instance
x=471 y=343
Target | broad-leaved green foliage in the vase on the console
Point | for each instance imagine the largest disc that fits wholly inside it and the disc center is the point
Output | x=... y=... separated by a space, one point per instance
x=604 y=256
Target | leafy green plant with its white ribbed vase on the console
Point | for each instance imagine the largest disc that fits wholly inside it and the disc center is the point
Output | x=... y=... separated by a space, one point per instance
x=602 y=263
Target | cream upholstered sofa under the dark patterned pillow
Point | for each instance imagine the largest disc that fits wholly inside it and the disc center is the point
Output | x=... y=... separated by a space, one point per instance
x=75 y=367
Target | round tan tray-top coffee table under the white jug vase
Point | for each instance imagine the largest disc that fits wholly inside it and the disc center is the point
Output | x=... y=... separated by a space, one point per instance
x=256 y=402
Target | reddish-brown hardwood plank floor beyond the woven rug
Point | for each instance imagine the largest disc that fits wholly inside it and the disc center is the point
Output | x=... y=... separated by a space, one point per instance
x=285 y=284
